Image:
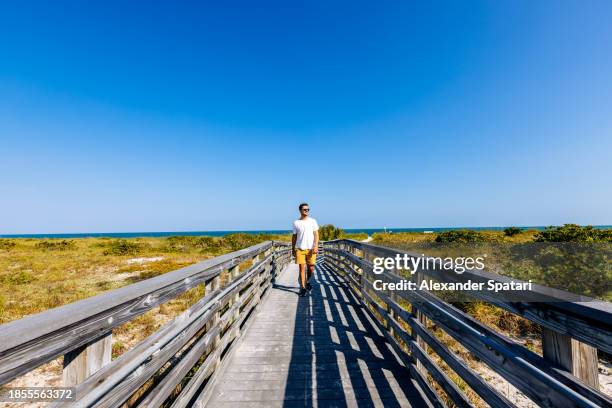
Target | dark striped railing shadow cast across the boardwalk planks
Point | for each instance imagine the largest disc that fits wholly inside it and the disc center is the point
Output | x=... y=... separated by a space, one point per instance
x=339 y=357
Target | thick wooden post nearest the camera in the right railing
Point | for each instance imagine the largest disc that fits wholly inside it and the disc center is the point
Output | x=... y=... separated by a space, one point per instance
x=571 y=355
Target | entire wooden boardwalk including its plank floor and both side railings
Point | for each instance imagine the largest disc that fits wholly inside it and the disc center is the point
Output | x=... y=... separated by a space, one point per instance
x=251 y=342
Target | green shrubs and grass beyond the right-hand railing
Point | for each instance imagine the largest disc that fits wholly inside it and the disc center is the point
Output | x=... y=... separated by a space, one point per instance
x=571 y=257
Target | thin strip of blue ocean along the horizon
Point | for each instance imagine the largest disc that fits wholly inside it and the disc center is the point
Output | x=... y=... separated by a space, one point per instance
x=368 y=231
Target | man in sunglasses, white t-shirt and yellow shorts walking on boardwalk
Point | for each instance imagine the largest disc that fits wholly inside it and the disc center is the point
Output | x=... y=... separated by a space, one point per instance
x=305 y=243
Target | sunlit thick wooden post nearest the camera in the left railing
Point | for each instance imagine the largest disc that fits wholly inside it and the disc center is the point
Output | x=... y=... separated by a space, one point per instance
x=86 y=360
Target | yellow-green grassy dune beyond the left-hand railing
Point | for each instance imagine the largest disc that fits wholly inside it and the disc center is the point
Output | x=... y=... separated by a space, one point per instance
x=39 y=274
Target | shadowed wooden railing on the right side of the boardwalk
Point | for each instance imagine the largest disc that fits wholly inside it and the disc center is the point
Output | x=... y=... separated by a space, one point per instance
x=565 y=376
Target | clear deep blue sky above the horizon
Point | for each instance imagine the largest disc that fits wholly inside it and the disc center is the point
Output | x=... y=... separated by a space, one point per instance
x=225 y=115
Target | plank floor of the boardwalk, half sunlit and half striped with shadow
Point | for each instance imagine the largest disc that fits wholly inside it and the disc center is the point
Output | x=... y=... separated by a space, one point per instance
x=321 y=350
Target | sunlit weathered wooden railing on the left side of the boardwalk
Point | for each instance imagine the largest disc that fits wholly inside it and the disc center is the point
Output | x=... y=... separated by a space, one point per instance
x=194 y=343
